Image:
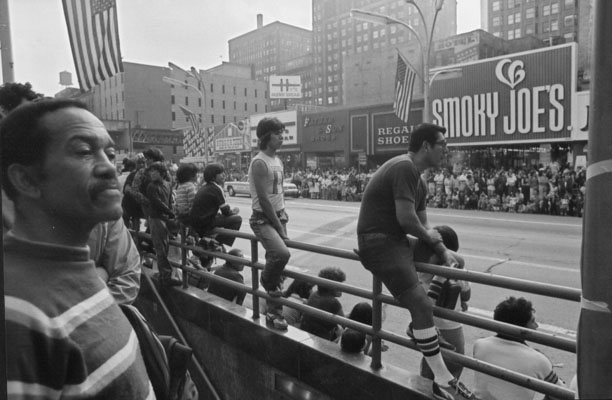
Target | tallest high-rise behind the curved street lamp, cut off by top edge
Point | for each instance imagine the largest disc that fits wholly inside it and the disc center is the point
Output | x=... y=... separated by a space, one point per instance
x=338 y=37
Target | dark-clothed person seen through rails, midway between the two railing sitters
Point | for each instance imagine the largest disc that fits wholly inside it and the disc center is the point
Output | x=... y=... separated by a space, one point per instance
x=325 y=299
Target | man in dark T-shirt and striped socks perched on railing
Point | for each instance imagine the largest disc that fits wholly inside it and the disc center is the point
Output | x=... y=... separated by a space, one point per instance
x=392 y=207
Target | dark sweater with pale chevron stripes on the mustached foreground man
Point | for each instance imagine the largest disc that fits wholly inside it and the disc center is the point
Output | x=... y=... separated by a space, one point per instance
x=66 y=335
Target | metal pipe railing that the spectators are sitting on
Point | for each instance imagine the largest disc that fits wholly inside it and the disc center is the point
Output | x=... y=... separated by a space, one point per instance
x=378 y=299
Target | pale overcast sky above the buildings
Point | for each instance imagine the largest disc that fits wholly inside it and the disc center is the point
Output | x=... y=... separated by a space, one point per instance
x=185 y=32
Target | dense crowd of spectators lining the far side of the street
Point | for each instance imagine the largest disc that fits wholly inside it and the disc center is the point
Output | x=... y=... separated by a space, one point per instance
x=552 y=189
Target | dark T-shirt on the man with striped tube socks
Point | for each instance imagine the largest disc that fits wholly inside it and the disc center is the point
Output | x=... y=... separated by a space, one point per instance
x=398 y=178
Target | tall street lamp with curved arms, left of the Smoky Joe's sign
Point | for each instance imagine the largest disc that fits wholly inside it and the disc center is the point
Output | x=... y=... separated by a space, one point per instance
x=424 y=42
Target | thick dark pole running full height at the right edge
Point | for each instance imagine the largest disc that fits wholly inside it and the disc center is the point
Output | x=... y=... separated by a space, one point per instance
x=595 y=323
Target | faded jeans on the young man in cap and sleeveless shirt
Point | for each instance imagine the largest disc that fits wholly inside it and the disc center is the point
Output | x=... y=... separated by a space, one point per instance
x=277 y=253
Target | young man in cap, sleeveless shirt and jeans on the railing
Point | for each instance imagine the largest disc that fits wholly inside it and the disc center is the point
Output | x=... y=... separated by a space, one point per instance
x=269 y=218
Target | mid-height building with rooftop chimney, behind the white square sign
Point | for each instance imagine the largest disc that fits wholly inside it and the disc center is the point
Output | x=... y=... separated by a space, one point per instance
x=276 y=49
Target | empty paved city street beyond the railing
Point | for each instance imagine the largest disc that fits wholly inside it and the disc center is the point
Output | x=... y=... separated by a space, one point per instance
x=540 y=248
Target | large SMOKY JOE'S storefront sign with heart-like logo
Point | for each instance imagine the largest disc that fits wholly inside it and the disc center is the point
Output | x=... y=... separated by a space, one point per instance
x=519 y=97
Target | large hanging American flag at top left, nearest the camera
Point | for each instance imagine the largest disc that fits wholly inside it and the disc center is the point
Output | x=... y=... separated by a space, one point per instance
x=94 y=39
